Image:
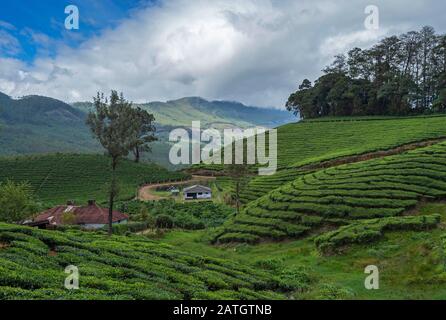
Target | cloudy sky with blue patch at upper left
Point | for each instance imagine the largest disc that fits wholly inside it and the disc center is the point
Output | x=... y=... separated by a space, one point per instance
x=253 y=51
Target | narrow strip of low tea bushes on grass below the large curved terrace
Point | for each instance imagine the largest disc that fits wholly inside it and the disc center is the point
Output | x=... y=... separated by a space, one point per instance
x=370 y=230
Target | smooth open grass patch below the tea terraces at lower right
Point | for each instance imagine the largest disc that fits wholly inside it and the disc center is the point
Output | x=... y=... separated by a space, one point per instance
x=411 y=263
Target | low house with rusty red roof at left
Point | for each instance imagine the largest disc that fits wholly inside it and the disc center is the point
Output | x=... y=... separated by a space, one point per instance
x=90 y=216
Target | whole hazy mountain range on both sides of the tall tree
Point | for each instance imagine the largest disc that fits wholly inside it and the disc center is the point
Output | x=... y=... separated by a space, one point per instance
x=37 y=124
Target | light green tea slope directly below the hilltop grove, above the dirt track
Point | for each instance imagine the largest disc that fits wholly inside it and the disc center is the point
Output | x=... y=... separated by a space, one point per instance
x=315 y=141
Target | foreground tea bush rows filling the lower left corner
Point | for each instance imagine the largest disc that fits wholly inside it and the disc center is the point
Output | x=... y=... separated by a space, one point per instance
x=32 y=264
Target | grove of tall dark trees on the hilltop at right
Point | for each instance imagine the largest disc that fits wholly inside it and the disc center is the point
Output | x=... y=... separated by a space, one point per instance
x=401 y=75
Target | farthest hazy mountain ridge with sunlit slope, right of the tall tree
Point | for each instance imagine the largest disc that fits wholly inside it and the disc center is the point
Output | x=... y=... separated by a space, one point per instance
x=219 y=114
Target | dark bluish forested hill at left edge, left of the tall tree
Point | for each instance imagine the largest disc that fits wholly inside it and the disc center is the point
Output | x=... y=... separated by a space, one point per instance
x=36 y=124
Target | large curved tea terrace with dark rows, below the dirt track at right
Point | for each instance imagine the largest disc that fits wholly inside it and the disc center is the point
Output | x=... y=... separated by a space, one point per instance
x=336 y=196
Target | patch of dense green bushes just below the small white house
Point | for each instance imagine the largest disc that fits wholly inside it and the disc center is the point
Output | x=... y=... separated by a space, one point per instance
x=170 y=214
